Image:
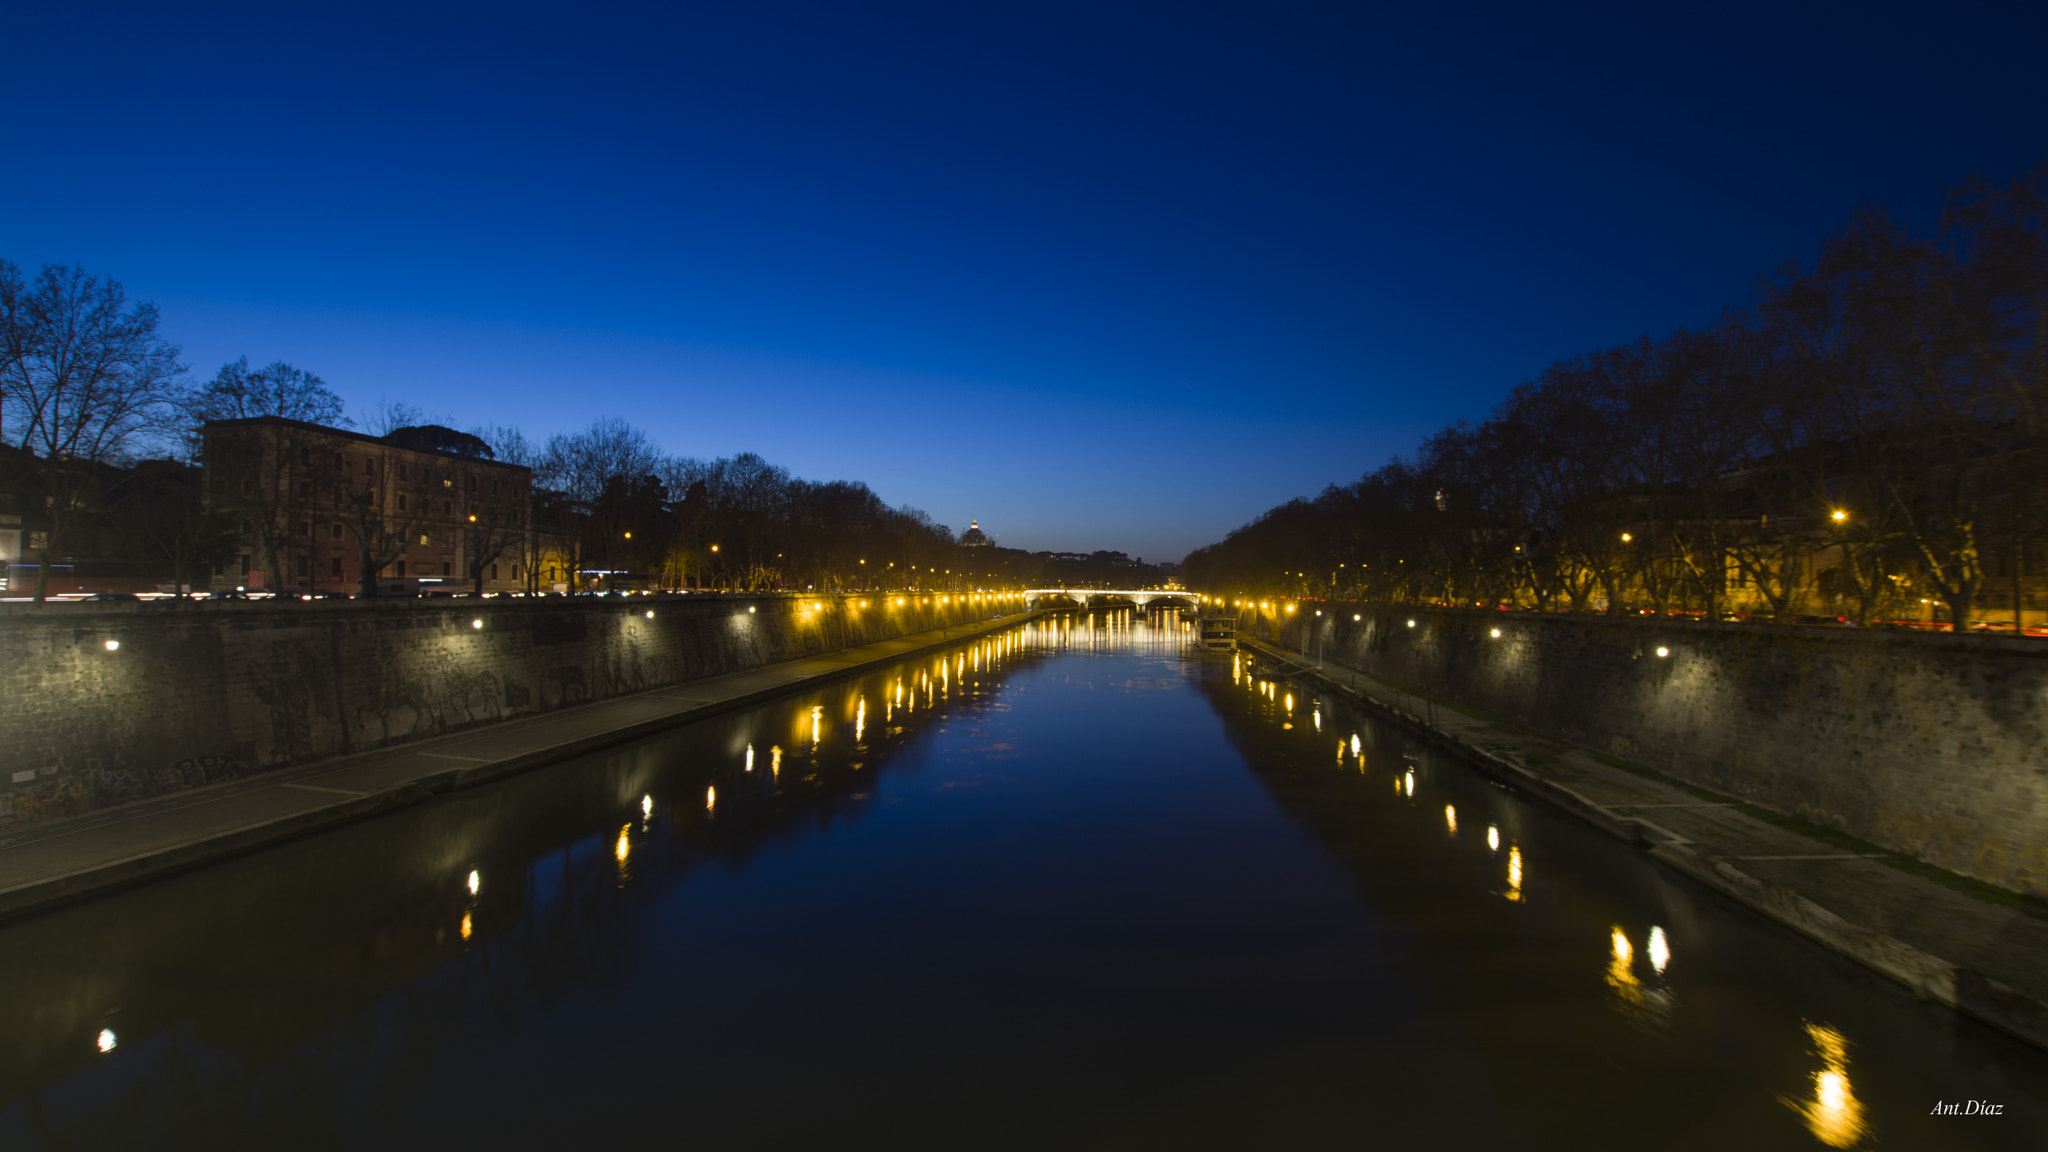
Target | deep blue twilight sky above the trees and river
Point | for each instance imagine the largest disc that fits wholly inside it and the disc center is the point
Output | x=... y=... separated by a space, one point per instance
x=1101 y=276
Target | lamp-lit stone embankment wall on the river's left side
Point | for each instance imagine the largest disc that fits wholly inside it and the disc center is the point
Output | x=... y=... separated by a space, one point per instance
x=208 y=692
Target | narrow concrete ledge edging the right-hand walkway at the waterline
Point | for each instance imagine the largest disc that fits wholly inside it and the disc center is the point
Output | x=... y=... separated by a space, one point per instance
x=1975 y=995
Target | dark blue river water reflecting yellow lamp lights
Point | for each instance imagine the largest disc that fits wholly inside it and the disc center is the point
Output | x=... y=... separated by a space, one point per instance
x=1064 y=889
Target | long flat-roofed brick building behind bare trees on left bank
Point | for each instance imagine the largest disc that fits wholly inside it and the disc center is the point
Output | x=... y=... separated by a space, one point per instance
x=316 y=507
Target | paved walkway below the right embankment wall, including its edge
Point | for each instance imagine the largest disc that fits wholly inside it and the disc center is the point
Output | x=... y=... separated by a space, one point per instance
x=1957 y=942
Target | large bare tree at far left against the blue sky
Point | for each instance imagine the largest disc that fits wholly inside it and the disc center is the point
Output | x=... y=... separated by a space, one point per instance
x=87 y=382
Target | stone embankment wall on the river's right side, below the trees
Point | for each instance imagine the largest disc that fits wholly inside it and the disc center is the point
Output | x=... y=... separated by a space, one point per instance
x=1922 y=743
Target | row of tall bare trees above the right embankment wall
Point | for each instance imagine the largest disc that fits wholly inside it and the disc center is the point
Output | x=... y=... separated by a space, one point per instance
x=1867 y=436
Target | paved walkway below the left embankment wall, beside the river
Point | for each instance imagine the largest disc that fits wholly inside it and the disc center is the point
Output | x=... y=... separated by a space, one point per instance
x=85 y=856
